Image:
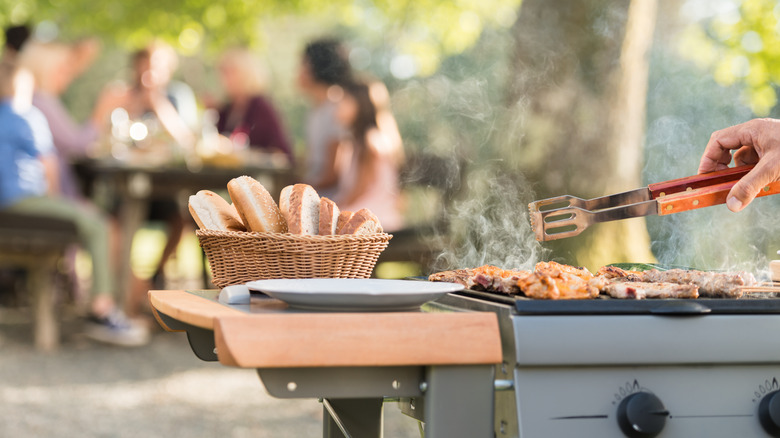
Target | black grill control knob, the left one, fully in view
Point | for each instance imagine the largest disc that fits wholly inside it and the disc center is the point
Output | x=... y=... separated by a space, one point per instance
x=641 y=415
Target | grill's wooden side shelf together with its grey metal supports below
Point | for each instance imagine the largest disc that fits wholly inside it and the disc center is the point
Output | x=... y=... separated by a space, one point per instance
x=442 y=364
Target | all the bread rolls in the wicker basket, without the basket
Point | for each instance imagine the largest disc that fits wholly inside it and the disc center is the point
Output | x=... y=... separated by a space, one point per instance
x=300 y=211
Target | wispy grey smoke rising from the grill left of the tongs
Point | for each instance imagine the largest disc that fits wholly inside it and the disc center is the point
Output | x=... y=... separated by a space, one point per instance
x=491 y=225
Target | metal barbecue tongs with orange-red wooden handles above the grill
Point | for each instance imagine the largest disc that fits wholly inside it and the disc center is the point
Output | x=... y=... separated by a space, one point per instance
x=566 y=216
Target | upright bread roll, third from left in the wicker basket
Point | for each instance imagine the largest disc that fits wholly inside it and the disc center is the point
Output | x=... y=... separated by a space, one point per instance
x=301 y=208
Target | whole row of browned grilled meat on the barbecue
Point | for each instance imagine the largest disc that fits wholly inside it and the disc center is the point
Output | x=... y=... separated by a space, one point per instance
x=552 y=280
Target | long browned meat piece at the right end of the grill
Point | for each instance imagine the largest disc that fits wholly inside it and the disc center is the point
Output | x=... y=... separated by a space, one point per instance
x=711 y=284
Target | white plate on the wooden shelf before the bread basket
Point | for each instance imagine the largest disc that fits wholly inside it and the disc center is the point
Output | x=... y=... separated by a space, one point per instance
x=353 y=294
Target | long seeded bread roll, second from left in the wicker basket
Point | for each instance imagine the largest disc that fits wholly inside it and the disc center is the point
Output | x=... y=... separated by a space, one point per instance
x=255 y=206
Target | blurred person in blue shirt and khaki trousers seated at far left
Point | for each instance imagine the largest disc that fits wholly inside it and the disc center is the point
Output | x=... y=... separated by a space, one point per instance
x=28 y=185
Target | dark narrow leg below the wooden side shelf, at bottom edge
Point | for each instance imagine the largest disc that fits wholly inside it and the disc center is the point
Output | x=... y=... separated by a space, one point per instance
x=360 y=417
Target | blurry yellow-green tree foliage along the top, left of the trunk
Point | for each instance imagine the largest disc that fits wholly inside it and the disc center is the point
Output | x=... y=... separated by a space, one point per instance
x=425 y=30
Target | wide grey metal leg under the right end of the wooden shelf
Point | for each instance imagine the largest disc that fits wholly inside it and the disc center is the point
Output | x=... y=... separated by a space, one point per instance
x=459 y=401
